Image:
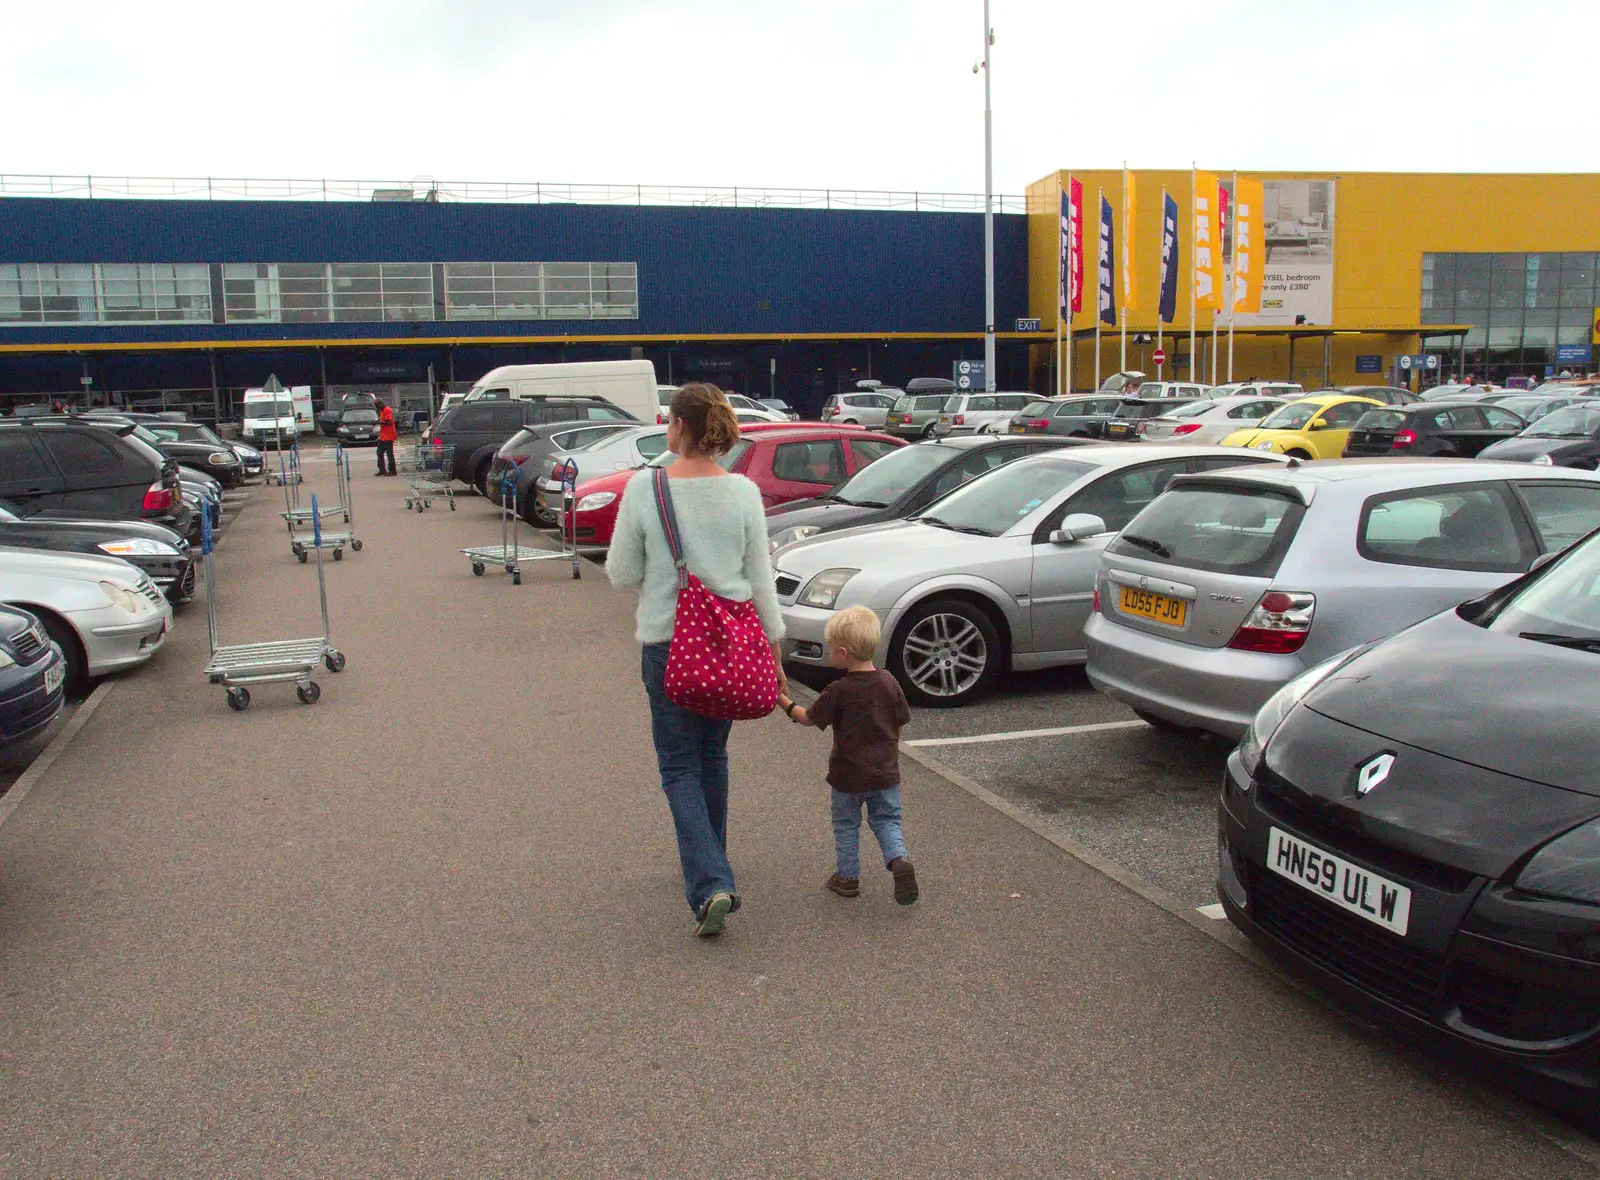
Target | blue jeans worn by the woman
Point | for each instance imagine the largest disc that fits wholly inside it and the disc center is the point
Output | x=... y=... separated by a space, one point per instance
x=692 y=754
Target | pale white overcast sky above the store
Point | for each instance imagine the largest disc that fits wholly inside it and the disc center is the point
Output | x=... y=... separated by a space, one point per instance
x=802 y=94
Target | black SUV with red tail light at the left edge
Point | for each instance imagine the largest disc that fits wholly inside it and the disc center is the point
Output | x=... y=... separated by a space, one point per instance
x=78 y=468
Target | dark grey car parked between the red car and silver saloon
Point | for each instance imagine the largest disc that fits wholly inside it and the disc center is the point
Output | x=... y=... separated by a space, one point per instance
x=903 y=482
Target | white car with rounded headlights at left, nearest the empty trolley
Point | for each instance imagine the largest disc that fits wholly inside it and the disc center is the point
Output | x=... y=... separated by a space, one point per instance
x=103 y=613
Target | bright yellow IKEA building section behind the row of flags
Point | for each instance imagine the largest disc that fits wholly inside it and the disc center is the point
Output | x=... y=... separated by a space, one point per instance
x=1492 y=276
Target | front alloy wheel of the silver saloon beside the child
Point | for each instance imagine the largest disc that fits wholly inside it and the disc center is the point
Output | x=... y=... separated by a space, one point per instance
x=946 y=653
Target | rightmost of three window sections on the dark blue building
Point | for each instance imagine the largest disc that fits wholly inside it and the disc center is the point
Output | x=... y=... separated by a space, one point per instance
x=542 y=290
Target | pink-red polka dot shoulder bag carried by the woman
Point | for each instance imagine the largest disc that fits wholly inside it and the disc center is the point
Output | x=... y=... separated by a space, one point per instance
x=721 y=663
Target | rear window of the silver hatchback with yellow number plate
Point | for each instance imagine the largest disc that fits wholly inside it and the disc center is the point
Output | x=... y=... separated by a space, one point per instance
x=1226 y=530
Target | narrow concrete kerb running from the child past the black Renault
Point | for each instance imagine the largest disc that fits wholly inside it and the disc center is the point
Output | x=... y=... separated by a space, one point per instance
x=1537 y=1120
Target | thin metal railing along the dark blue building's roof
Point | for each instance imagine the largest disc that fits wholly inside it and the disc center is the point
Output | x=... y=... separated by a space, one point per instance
x=532 y=193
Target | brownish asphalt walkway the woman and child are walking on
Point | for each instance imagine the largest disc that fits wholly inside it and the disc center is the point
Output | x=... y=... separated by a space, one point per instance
x=434 y=927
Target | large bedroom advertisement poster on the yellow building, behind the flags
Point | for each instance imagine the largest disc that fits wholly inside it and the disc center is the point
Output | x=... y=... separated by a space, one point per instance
x=1298 y=276
